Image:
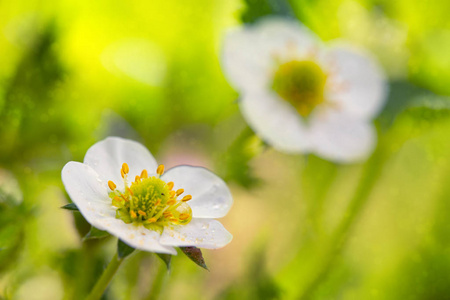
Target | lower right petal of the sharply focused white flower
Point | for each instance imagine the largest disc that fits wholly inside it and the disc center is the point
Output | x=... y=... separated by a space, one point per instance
x=203 y=233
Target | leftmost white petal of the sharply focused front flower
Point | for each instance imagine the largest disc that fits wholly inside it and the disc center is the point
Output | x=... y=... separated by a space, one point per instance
x=88 y=193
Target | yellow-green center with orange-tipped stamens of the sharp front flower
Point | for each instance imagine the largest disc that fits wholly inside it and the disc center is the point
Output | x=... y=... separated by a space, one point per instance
x=150 y=201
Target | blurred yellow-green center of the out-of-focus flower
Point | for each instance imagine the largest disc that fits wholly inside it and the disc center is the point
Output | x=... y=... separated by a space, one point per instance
x=302 y=84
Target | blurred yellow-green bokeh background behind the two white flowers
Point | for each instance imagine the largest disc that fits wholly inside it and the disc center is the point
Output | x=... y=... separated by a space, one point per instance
x=74 y=72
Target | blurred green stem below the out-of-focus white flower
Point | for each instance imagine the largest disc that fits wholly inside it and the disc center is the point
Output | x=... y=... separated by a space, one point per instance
x=371 y=173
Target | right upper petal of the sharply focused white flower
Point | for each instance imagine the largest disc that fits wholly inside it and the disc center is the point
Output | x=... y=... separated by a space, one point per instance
x=211 y=197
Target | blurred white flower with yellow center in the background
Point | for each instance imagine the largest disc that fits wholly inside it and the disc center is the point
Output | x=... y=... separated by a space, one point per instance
x=302 y=96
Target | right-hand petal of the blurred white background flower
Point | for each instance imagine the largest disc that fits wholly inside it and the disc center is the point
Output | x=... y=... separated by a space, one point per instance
x=357 y=83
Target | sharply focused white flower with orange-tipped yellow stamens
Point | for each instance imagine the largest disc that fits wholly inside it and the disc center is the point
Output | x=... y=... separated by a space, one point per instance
x=120 y=189
